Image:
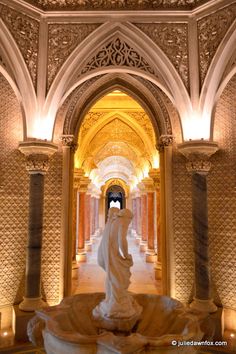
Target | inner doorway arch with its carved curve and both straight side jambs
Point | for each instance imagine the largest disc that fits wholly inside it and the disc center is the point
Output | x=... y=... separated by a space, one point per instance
x=159 y=114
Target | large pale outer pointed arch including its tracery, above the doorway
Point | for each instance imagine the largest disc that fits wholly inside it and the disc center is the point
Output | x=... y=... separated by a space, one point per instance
x=152 y=64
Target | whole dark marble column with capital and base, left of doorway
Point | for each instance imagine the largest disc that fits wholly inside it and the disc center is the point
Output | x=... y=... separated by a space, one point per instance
x=37 y=155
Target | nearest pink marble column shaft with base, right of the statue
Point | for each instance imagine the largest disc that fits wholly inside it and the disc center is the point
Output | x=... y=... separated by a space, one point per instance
x=150 y=254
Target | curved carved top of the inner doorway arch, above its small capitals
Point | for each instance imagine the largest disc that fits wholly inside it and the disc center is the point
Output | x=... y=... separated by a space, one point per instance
x=150 y=99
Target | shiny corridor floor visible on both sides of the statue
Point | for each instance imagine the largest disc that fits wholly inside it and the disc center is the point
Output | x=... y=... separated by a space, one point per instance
x=89 y=277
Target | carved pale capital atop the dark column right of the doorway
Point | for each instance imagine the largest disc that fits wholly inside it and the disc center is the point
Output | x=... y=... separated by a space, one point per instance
x=198 y=153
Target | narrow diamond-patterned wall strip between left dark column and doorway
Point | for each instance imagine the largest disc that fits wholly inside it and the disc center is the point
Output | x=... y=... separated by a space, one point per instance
x=52 y=230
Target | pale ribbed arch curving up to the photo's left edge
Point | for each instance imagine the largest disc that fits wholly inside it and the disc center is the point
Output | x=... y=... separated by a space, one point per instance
x=19 y=78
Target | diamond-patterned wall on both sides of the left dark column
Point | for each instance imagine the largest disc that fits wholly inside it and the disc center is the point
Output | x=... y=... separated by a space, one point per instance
x=14 y=189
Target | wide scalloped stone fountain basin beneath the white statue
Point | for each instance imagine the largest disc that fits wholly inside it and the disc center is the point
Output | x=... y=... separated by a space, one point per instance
x=70 y=327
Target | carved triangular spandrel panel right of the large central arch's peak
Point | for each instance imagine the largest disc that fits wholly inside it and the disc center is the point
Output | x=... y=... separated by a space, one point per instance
x=172 y=38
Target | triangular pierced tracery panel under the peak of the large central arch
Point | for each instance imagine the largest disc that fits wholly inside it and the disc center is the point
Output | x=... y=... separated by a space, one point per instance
x=117 y=53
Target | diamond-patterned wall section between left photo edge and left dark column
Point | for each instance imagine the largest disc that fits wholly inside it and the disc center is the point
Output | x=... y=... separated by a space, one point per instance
x=14 y=181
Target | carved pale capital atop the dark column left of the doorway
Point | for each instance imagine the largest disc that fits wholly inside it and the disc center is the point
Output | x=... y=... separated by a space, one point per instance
x=37 y=154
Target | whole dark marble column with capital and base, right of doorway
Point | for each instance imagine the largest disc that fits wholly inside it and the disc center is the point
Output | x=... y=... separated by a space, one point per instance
x=198 y=154
